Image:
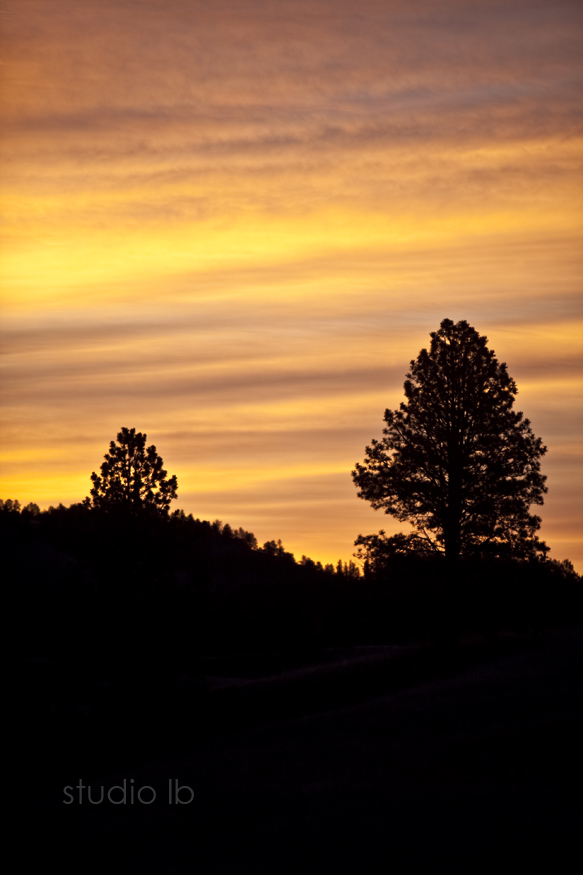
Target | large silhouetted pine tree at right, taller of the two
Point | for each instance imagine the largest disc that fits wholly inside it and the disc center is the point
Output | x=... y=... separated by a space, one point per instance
x=456 y=461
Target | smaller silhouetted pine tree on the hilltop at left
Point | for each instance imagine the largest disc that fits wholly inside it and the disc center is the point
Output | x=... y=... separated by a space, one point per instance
x=132 y=478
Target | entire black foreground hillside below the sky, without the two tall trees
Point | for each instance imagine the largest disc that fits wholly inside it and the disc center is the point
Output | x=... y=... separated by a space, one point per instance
x=135 y=653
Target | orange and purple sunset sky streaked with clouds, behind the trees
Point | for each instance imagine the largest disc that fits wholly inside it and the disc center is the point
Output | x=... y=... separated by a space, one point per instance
x=232 y=225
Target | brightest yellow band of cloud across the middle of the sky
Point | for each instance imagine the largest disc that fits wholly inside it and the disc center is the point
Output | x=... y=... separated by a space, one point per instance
x=48 y=268
